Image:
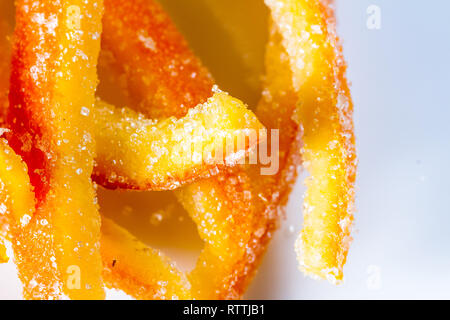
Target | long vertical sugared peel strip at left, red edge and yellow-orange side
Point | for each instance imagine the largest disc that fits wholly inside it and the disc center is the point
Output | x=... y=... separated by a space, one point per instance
x=53 y=80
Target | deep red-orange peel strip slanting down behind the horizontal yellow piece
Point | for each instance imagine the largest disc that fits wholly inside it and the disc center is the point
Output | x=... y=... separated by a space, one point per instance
x=163 y=76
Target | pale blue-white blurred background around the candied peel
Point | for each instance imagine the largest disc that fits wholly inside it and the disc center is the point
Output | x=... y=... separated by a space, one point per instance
x=400 y=78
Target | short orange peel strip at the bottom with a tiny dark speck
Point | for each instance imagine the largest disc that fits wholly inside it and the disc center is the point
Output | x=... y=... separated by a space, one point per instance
x=137 y=269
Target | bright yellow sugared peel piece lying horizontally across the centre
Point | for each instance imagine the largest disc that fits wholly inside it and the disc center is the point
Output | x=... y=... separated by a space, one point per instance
x=138 y=153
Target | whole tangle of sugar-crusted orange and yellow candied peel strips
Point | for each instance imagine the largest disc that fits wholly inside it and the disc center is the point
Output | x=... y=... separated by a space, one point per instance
x=61 y=140
